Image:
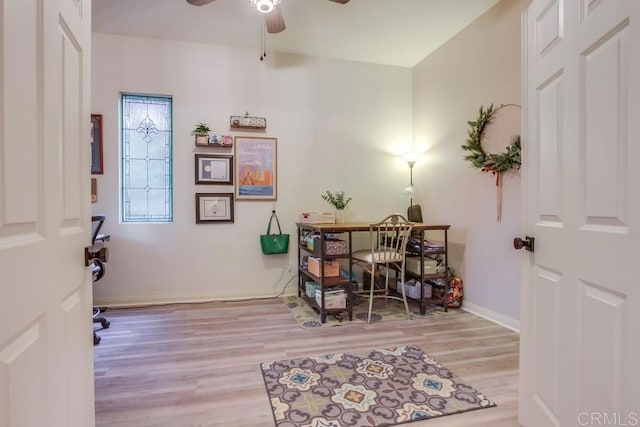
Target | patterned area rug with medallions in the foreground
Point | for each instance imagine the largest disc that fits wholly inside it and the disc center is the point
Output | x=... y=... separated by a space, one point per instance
x=371 y=388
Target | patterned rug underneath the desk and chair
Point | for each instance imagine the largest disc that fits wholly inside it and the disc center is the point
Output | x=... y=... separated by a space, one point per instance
x=392 y=310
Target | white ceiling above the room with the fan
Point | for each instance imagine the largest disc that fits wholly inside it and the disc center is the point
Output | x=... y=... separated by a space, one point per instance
x=393 y=32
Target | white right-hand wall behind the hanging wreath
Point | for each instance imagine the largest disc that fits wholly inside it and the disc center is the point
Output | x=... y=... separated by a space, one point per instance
x=479 y=66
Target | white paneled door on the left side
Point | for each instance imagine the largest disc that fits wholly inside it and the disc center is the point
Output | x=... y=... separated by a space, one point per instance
x=46 y=345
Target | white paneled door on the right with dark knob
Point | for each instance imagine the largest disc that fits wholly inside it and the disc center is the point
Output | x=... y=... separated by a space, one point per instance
x=580 y=345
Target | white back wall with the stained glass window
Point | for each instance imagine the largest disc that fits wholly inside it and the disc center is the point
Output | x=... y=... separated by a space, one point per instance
x=338 y=126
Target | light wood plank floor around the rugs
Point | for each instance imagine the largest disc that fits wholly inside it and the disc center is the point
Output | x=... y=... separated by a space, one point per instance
x=198 y=364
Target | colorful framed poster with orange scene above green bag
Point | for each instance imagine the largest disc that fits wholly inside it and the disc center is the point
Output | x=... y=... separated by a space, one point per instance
x=256 y=168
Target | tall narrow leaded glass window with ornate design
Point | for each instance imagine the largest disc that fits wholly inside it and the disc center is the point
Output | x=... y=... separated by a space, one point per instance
x=147 y=151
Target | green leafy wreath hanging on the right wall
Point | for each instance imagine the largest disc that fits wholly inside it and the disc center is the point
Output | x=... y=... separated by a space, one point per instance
x=488 y=162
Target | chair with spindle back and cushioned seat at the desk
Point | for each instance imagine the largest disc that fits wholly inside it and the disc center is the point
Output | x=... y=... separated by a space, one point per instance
x=388 y=248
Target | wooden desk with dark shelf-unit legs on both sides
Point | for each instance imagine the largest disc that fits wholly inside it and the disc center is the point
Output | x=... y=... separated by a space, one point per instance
x=349 y=228
